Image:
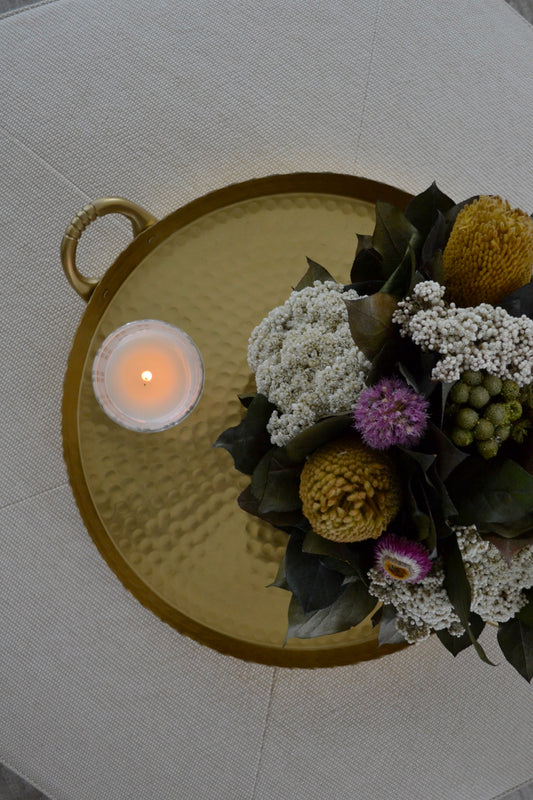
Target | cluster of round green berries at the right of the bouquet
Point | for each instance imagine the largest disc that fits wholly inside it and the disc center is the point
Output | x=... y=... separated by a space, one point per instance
x=485 y=411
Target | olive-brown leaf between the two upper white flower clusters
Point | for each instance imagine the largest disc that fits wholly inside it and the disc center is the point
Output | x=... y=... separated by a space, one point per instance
x=370 y=320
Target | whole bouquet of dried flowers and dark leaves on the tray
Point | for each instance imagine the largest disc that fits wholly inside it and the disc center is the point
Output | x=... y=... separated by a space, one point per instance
x=390 y=435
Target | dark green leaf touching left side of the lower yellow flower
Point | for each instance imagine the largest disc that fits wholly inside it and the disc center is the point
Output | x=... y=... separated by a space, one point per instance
x=276 y=483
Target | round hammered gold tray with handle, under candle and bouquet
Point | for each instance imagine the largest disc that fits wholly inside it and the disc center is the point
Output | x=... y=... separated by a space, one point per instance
x=162 y=507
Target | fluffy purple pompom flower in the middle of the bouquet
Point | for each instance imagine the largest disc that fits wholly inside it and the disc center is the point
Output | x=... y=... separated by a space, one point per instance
x=389 y=413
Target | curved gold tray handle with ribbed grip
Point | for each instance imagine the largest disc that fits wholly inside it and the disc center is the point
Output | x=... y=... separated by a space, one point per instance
x=139 y=218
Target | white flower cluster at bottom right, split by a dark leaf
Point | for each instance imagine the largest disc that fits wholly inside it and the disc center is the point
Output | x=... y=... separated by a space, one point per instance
x=497 y=589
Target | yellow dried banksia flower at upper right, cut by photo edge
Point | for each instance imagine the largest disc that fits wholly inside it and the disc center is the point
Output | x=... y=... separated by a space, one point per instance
x=489 y=253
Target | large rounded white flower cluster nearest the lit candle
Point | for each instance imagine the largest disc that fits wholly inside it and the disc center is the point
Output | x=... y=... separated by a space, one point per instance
x=305 y=360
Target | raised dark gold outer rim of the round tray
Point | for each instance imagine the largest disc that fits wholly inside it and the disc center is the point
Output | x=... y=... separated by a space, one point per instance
x=335 y=184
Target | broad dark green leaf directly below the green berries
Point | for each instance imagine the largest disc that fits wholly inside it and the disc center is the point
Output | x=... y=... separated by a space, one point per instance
x=496 y=497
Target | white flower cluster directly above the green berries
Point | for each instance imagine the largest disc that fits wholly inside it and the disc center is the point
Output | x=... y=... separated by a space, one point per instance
x=482 y=337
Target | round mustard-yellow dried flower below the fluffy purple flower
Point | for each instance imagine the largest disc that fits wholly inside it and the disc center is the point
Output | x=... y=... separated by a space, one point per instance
x=348 y=491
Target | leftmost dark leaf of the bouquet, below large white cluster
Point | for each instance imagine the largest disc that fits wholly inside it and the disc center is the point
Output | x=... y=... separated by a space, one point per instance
x=248 y=441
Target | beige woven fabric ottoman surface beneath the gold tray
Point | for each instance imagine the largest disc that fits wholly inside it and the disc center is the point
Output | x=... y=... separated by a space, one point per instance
x=161 y=102
